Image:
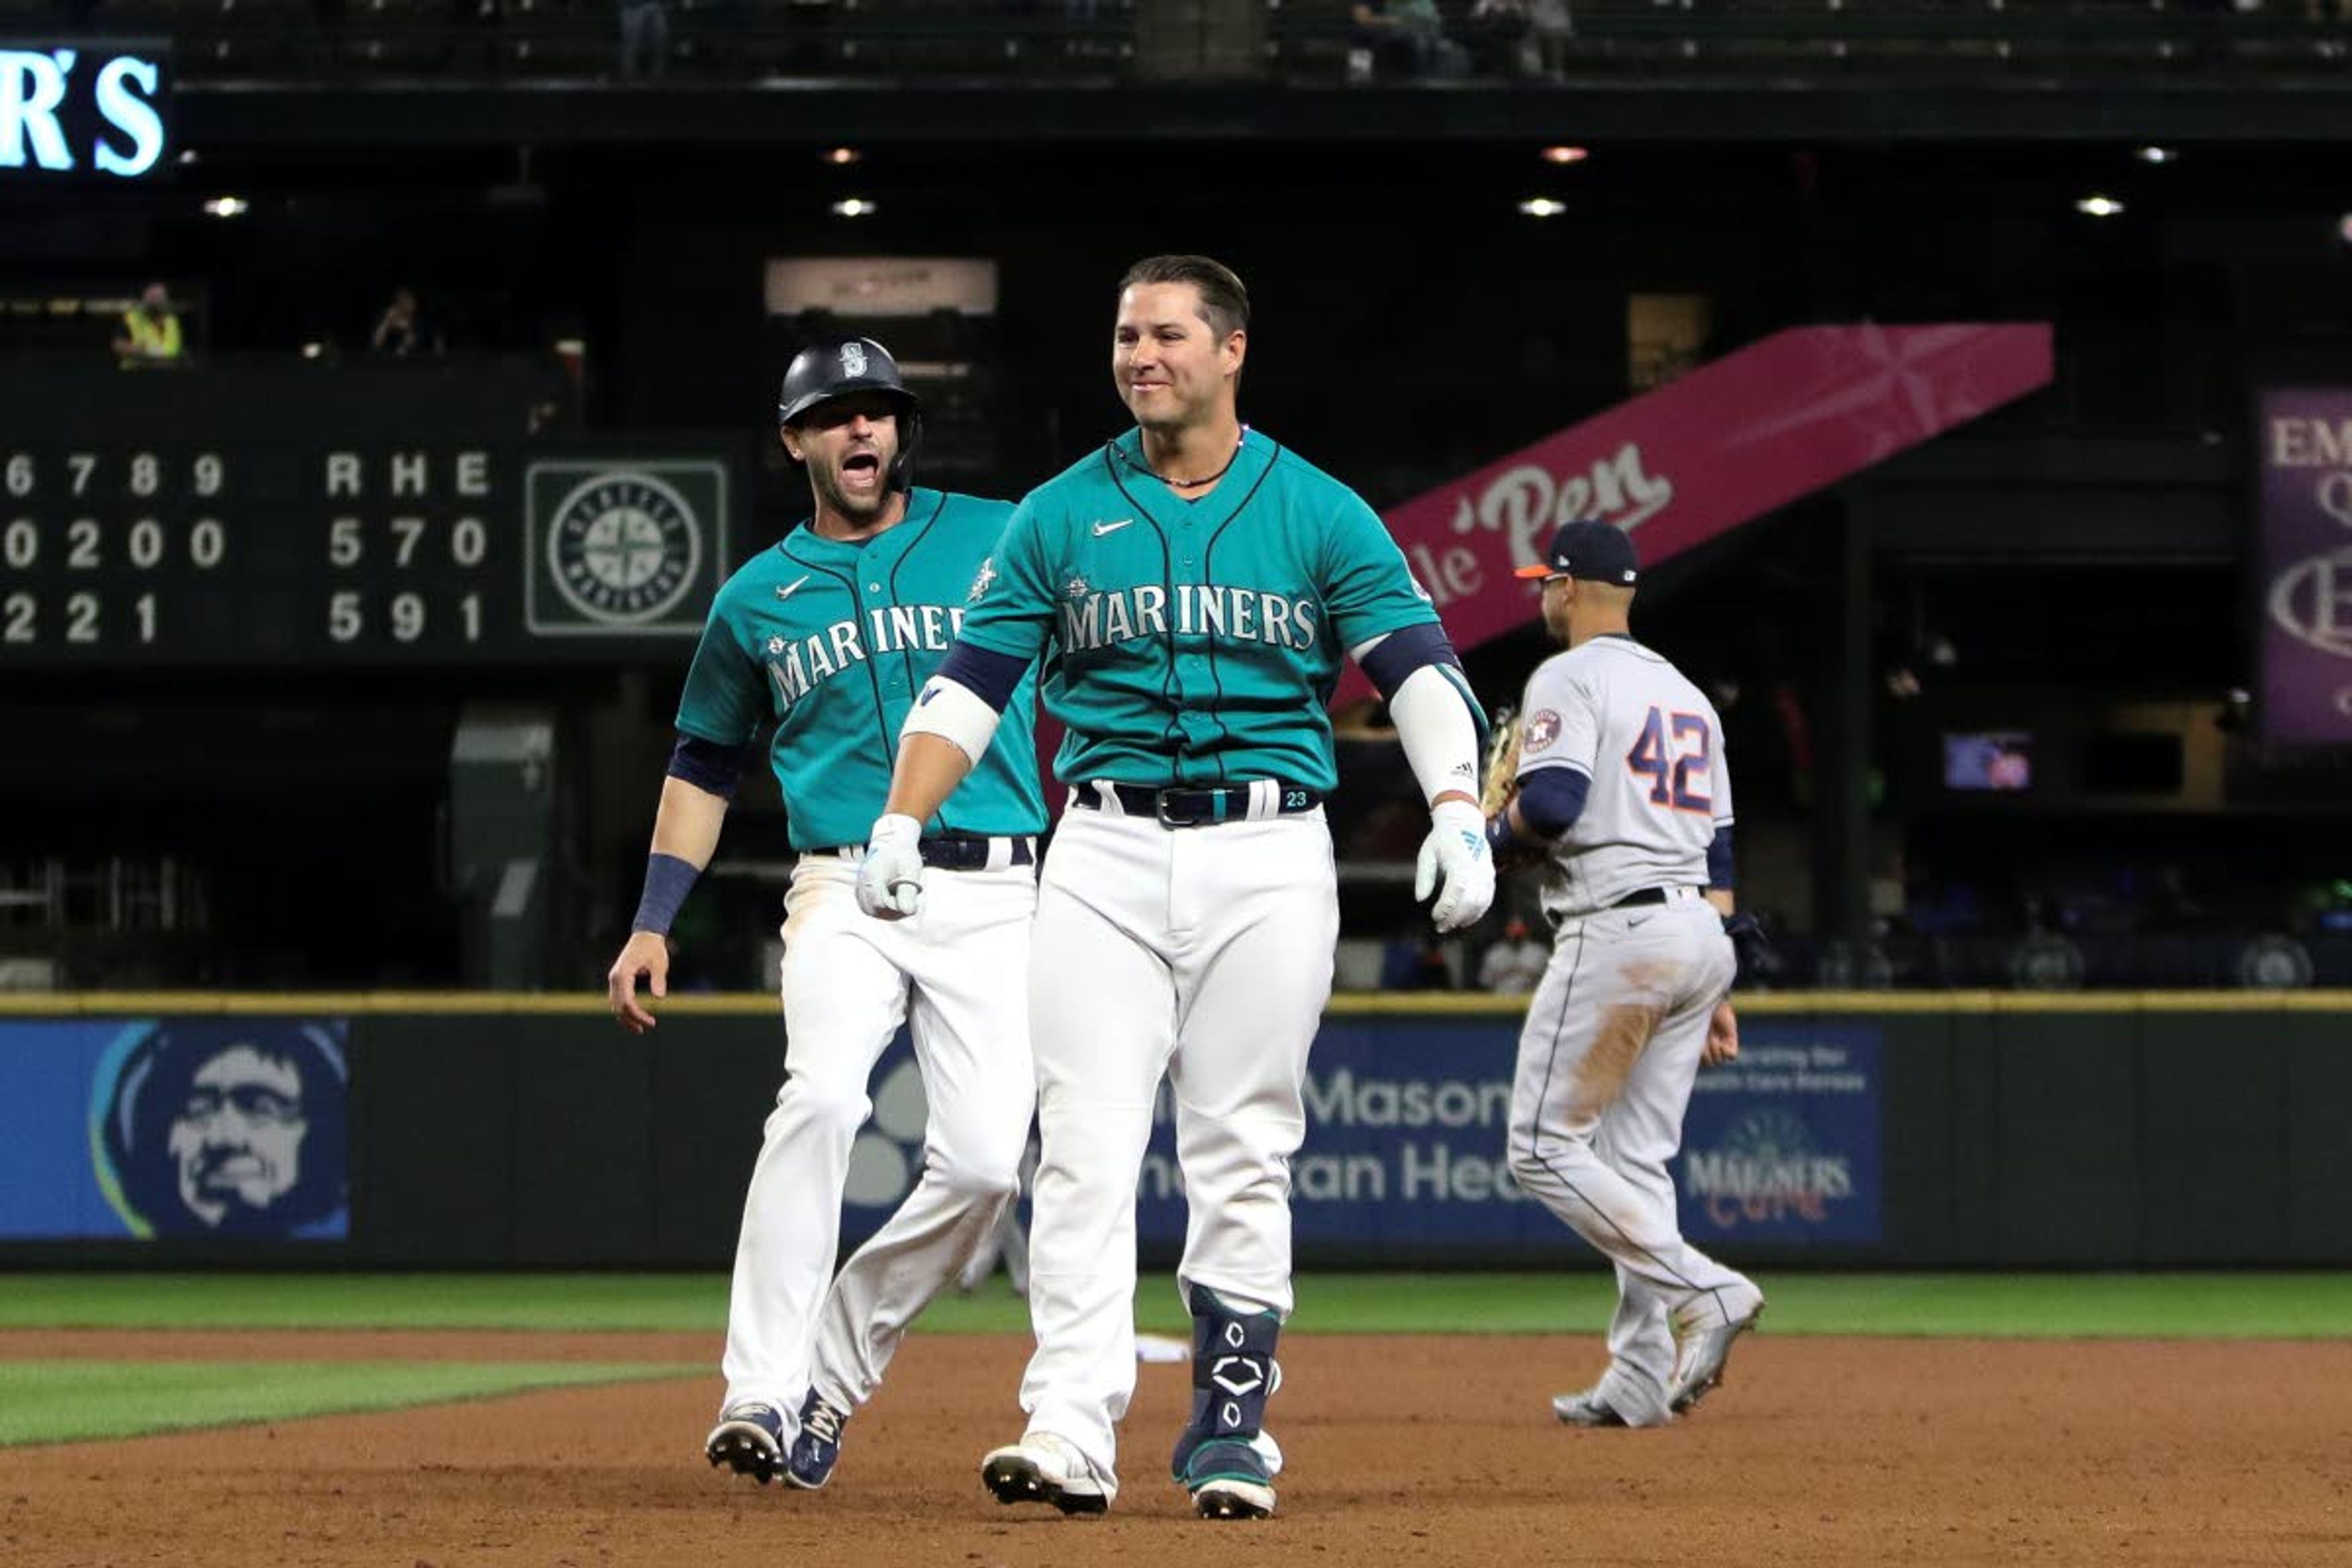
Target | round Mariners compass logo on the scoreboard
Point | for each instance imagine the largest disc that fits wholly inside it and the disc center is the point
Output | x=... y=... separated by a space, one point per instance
x=624 y=547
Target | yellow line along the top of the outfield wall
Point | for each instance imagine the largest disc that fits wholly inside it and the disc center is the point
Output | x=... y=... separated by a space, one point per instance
x=1347 y=1005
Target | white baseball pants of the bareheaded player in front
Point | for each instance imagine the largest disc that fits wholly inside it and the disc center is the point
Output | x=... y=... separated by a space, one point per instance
x=1196 y=953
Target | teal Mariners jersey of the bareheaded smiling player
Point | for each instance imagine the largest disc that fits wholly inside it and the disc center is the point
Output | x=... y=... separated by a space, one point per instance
x=1194 y=643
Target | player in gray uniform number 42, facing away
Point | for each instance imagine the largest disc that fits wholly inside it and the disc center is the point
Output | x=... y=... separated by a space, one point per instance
x=1626 y=789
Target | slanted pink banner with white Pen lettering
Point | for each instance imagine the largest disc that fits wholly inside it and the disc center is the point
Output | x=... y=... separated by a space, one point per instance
x=1702 y=455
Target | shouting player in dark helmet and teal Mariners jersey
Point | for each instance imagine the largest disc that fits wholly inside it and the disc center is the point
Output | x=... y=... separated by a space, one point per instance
x=827 y=638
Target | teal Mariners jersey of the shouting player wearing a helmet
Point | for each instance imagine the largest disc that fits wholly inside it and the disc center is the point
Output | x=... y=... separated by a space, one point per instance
x=831 y=643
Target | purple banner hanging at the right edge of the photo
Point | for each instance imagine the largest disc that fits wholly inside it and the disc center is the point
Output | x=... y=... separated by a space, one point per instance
x=2306 y=565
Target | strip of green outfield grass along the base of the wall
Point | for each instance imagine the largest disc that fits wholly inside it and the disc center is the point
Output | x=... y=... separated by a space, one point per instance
x=1993 y=1306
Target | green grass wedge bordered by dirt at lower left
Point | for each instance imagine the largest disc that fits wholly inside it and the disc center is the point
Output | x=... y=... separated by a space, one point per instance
x=67 y=1402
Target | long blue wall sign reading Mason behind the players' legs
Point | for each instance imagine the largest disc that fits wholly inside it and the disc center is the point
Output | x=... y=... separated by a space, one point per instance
x=1408 y=1127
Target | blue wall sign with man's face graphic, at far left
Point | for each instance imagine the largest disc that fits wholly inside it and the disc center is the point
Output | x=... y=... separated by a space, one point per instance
x=178 y=1127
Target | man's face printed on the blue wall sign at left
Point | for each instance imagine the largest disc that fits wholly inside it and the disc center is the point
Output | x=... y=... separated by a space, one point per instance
x=236 y=1139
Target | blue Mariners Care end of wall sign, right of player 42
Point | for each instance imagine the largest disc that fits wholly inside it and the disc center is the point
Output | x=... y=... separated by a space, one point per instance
x=1784 y=1144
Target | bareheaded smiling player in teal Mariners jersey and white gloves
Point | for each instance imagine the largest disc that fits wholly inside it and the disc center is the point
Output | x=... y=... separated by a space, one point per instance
x=1191 y=591
